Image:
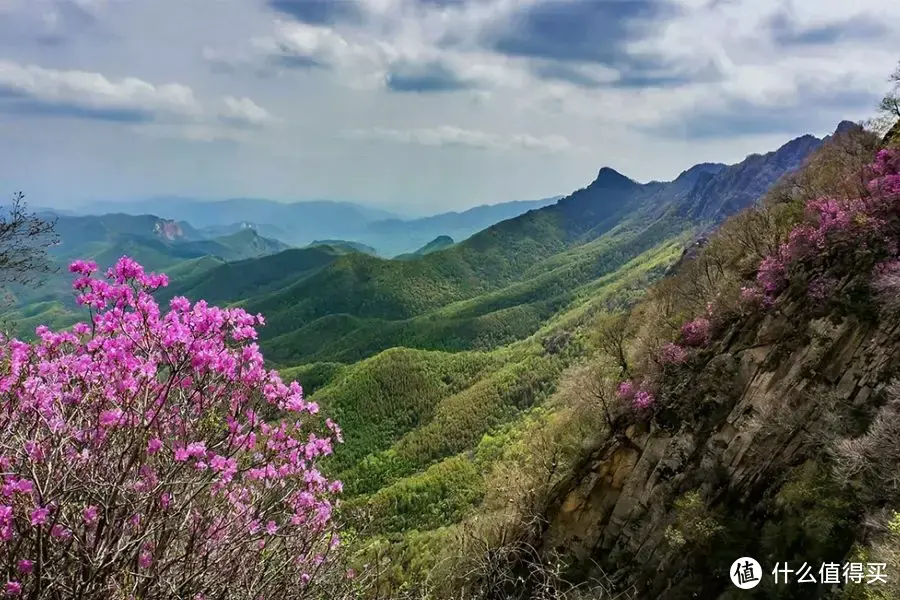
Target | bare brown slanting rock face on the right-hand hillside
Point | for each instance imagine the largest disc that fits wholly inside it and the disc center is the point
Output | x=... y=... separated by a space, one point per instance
x=616 y=510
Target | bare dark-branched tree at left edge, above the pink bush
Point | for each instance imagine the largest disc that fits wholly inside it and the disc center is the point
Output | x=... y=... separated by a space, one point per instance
x=24 y=238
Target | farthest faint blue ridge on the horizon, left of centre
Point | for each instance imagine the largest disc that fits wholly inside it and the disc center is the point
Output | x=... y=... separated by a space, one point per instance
x=300 y=222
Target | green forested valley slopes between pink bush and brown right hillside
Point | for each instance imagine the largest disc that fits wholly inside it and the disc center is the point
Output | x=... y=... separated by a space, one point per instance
x=444 y=369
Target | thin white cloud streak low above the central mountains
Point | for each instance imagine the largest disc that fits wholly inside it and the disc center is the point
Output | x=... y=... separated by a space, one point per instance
x=448 y=136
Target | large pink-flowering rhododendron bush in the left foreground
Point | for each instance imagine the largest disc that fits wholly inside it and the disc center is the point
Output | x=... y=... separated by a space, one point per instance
x=135 y=463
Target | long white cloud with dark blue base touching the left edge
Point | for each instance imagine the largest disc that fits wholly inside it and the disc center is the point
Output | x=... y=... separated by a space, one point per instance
x=30 y=89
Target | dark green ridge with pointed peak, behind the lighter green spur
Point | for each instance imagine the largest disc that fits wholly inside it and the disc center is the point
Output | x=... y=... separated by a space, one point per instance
x=503 y=282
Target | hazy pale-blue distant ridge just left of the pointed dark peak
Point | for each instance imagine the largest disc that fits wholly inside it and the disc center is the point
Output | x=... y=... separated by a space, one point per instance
x=395 y=236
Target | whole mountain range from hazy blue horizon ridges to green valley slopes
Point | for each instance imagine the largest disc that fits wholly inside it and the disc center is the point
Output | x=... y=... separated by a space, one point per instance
x=435 y=362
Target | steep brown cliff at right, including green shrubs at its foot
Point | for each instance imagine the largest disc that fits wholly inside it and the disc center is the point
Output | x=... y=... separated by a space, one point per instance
x=667 y=507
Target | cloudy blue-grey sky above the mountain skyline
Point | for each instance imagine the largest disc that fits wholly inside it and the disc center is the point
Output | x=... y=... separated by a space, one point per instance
x=417 y=105
